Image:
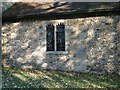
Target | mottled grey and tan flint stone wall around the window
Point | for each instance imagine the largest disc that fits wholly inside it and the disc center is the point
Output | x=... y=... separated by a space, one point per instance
x=92 y=45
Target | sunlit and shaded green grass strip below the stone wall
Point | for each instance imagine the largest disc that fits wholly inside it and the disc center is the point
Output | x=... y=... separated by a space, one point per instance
x=16 y=78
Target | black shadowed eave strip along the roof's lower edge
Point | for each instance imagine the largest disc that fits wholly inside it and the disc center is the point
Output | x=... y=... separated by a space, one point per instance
x=67 y=15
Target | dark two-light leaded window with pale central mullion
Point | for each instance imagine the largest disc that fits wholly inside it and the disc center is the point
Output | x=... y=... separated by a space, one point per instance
x=56 y=37
